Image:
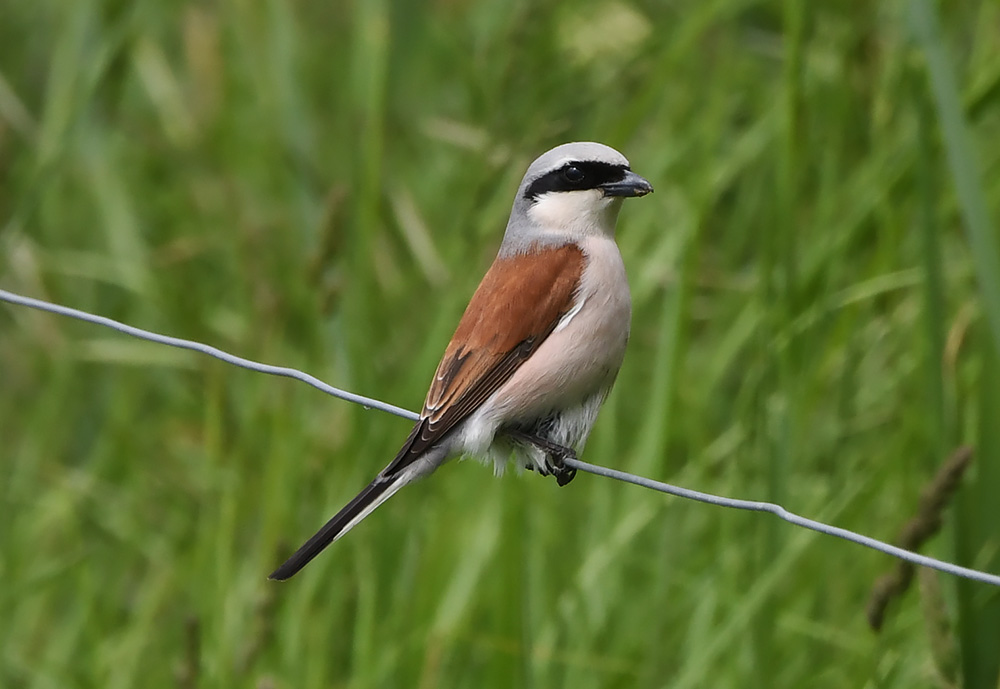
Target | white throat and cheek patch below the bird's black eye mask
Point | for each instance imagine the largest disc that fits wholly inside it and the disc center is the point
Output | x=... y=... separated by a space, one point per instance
x=584 y=213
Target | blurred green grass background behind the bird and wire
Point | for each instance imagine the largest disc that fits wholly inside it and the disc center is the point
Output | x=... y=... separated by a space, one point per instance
x=321 y=185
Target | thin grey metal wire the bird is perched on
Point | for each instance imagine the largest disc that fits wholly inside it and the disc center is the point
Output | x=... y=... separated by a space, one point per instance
x=369 y=403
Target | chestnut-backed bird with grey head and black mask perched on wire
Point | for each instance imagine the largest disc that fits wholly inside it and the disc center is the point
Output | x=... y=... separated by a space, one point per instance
x=539 y=345
